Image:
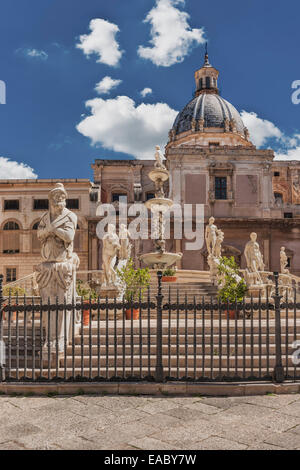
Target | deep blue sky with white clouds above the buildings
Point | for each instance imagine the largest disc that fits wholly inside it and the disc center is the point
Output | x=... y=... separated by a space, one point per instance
x=254 y=45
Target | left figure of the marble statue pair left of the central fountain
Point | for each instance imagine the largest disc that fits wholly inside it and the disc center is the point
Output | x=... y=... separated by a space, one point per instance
x=111 y=247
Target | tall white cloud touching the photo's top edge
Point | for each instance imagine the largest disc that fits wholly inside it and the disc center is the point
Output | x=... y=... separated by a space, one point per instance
x=172 y=38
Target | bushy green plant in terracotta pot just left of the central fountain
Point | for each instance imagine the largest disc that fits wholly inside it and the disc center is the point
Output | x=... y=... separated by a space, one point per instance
x=136 y=281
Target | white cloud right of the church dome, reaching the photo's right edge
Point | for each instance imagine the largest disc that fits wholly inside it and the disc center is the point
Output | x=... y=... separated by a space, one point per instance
x=263 y=131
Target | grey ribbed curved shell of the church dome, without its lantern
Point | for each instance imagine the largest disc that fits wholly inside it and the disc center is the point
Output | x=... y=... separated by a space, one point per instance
x=212 y=109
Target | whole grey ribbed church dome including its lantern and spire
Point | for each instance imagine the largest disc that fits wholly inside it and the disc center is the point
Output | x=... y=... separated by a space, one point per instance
x=208 y=113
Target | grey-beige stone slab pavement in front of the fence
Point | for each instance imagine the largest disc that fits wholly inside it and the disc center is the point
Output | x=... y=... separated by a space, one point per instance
x=151 y=423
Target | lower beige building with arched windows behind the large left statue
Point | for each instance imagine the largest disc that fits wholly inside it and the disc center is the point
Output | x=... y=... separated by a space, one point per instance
x=23 y=203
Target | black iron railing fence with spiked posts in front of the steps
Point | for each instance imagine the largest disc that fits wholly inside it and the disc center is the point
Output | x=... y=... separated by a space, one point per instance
x=162 y=336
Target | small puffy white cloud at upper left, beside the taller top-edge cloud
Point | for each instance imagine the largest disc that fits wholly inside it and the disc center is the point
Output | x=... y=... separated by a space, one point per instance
x=101 y=41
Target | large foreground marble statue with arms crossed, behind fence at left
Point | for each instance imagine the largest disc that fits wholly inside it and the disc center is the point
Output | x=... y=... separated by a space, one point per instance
x=56 y=275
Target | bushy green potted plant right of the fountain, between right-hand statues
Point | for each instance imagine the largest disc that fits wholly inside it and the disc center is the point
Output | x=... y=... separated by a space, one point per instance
x=233 y=286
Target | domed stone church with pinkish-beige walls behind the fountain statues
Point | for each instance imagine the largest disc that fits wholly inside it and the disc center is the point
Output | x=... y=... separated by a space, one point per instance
x=212 y=162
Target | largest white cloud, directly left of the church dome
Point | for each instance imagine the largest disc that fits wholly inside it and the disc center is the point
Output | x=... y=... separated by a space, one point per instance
x=118 y=124
